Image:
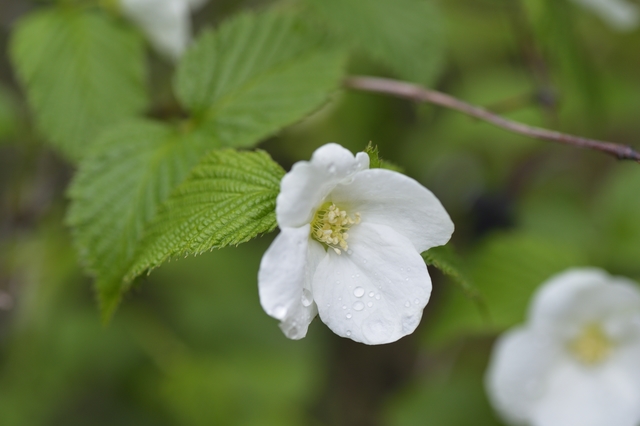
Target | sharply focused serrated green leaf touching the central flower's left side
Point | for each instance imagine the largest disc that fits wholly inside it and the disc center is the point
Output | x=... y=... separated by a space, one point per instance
x=229 y=198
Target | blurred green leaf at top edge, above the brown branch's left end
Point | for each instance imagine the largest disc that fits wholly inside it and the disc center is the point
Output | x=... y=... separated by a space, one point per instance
x=404 y=35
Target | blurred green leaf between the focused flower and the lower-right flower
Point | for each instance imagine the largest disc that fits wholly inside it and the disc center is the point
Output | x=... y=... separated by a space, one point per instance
x=506 y=269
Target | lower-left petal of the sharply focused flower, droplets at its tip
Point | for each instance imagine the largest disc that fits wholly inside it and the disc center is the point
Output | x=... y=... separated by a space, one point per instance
x=284 y=280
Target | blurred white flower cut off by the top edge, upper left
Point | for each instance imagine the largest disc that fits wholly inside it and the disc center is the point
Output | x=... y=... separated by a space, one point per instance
x=166 y=23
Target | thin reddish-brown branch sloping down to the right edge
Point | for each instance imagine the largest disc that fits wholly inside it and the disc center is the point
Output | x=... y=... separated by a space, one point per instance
x=418 y=93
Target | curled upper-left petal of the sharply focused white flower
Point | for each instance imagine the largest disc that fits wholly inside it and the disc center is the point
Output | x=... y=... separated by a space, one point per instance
x=304 y=188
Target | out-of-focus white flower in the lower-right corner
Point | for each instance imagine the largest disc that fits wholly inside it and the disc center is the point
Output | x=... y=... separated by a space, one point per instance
x=577 y=360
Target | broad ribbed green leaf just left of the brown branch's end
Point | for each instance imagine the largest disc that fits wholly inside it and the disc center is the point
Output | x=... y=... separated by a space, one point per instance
x=255 y=75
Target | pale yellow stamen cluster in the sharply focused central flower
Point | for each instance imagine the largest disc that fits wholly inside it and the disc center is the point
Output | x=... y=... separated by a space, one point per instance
x=330 y=224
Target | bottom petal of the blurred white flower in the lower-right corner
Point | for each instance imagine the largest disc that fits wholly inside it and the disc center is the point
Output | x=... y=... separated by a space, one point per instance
x=588 y=396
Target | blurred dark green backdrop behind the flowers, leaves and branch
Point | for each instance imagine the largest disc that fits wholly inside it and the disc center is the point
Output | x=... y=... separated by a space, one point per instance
x=190 y=345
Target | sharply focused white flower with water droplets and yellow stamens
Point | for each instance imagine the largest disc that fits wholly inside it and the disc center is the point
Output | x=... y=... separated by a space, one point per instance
x=349 y=249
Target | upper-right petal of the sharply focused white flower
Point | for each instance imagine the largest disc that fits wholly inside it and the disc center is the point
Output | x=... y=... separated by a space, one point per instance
x=388 y=198
